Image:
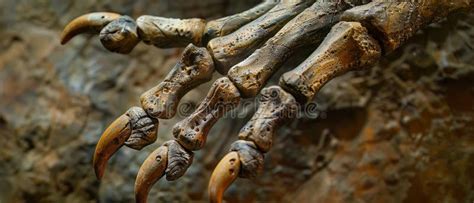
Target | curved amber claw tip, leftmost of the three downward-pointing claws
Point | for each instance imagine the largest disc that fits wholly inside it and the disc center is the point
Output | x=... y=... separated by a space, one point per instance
x=111 y=140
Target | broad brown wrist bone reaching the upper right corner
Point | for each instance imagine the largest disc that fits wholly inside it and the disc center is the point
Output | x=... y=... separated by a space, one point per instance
x=393 y=23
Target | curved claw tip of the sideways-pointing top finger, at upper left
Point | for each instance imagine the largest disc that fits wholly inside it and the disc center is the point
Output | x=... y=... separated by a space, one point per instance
x=92 y=22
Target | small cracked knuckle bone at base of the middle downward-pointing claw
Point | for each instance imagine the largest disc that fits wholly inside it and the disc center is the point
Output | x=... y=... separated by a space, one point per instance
x=179 y=160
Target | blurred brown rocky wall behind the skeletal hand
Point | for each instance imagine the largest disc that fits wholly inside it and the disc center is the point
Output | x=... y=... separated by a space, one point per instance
x=402 y=131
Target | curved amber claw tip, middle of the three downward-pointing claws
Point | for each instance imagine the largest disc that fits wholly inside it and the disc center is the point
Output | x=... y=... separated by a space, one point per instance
x=151 y=171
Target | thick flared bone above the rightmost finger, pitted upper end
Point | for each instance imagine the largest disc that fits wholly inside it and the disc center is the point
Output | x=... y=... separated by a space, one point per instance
x=347 y=47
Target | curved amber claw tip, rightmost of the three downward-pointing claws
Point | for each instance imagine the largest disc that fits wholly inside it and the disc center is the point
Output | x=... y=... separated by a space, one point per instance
x=224 y=174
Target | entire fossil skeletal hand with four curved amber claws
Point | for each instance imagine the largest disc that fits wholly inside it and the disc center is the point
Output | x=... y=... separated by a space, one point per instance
x=248 y=48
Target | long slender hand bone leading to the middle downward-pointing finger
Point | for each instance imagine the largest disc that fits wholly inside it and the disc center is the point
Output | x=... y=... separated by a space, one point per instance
x=309 y=27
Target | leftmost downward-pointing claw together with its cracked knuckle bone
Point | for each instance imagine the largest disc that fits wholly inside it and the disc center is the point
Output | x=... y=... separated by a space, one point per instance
x=134 y=129
